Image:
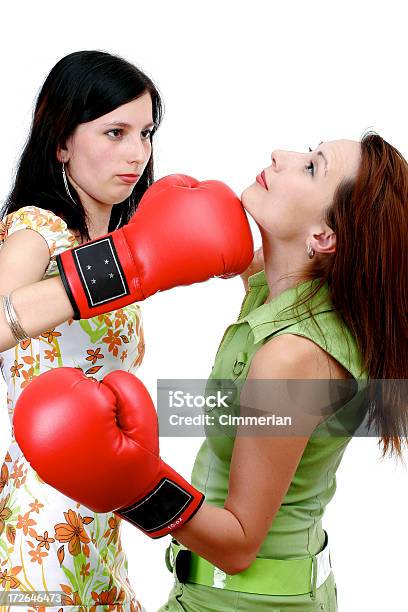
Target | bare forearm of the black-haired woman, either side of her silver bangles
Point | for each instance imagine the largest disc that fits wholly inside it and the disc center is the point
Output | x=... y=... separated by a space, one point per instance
x=39 y=307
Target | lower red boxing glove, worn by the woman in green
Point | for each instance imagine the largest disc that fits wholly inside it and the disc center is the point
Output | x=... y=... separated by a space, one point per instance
x=97 y=442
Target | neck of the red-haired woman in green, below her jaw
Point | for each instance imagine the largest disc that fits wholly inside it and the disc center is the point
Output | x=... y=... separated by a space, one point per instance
x=284 y=267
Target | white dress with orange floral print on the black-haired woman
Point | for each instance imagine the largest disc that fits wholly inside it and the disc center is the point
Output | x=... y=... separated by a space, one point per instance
x=49 y=542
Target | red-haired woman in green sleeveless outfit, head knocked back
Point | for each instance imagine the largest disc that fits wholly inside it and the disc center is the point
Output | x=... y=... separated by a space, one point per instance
x=330 y=308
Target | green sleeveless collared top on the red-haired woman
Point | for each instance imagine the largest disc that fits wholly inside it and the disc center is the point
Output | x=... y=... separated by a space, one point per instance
x=296 y=530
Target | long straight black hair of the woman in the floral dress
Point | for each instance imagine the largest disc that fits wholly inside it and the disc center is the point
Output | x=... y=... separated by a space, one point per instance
x=81 y=87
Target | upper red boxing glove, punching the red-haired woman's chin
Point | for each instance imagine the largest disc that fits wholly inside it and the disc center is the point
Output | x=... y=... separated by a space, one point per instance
x=184 y=231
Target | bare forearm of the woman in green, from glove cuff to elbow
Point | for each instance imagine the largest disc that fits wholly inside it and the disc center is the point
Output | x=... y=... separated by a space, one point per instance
x=217 y=535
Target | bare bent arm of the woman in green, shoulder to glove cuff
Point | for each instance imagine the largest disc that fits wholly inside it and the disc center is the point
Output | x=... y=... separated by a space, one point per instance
x=262 y=468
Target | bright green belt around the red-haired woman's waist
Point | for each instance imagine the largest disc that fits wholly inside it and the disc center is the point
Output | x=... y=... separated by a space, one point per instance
x=263 y=577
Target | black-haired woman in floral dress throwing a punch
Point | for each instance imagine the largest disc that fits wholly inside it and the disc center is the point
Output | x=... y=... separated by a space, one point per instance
x=95 y=116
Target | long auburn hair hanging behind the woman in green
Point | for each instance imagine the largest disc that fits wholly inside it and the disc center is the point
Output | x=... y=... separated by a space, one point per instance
x=368 y=280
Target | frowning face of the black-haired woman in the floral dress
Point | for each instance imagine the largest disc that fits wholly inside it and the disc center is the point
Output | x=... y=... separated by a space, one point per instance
x=114 y=144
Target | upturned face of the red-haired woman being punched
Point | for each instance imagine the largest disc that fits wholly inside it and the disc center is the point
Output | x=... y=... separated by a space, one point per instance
x=298 y=188
